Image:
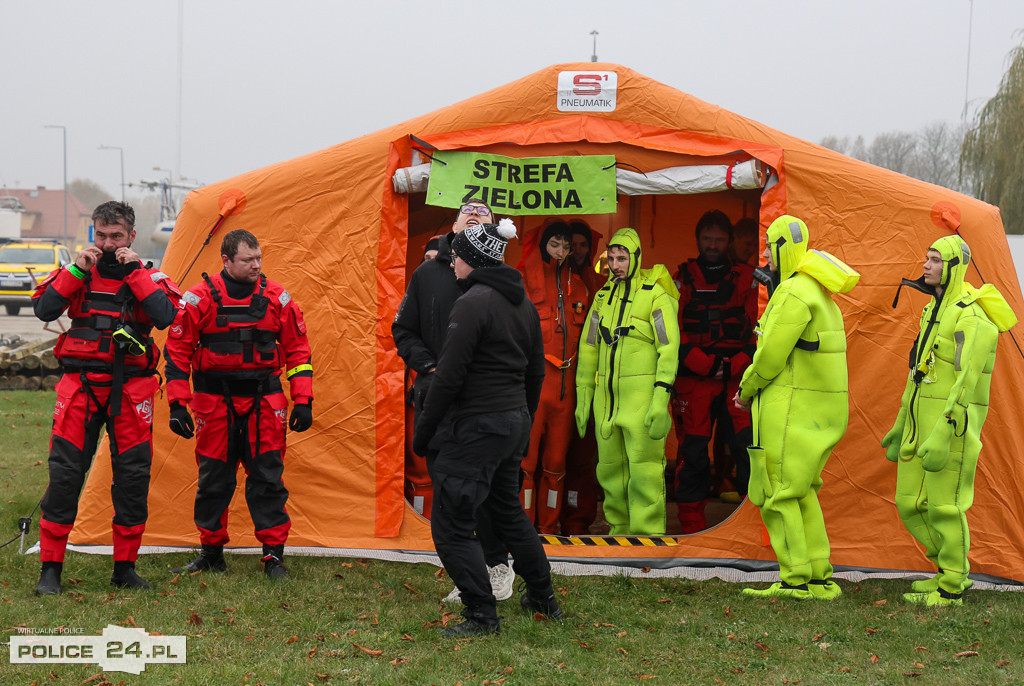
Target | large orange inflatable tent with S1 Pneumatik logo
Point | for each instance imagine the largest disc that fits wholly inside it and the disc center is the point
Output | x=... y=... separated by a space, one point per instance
x=344 y=241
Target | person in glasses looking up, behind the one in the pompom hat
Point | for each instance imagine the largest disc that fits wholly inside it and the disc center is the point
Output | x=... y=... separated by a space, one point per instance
x=419 y=330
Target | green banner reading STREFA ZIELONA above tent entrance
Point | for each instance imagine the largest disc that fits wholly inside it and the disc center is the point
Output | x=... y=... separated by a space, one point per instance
x=578 y=185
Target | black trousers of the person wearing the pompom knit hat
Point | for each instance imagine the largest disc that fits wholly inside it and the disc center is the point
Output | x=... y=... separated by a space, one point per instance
x=478 y=471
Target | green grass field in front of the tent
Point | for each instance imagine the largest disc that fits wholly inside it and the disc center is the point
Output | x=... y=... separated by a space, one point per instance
x=368 y=622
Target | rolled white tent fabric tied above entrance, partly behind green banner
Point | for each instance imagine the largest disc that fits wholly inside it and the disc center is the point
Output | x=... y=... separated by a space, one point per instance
x=673 y=181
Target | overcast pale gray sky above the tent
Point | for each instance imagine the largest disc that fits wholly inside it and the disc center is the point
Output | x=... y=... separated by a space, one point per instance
x=268 y=81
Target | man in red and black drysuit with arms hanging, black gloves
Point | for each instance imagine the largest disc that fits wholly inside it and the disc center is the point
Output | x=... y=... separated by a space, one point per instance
x=234 y=333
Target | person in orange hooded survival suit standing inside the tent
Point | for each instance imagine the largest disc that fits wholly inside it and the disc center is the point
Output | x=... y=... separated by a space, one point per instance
x=562 y=301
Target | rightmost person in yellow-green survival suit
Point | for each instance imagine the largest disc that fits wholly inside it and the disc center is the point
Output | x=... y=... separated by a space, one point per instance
x=936 y=439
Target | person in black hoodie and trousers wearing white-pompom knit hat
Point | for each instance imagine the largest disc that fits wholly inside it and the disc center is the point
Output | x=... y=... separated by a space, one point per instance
x=478 y=416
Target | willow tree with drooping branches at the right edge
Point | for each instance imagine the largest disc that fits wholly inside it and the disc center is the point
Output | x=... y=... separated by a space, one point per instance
x=993 y=157
